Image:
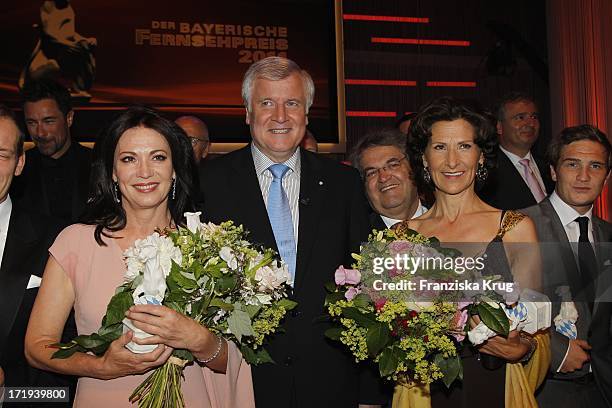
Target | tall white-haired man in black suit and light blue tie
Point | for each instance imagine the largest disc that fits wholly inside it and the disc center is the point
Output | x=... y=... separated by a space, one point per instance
x=309 y=208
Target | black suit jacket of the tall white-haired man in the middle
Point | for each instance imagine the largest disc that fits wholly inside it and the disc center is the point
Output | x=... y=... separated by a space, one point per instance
x=310 y=370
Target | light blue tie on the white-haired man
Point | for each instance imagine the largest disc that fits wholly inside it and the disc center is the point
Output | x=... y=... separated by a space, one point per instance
x=280 y=217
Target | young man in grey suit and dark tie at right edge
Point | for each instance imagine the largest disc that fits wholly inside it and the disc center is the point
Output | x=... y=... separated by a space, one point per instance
x=574 y=243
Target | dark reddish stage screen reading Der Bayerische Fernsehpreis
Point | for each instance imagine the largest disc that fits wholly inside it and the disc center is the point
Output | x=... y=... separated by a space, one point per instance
x=182 y=56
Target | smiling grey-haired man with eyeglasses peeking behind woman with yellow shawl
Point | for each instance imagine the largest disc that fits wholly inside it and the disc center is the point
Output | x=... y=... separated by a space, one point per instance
x=380 y=157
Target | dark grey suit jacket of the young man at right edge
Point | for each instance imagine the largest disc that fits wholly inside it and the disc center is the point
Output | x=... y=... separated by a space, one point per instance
x=560 y=268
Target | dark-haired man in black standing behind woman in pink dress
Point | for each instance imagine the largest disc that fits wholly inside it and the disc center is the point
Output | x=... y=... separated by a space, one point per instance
x=56 y=176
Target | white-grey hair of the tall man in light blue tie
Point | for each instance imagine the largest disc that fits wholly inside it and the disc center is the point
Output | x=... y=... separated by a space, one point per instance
x=275 y=69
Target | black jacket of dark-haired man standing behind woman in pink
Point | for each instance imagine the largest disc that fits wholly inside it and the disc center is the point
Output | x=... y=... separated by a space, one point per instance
x=28 y=190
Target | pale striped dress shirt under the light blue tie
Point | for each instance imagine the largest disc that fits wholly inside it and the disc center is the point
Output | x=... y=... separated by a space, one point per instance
x=291 y=181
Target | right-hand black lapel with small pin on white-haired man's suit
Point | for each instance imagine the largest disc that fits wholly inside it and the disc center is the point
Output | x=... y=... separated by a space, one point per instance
x=312 y=193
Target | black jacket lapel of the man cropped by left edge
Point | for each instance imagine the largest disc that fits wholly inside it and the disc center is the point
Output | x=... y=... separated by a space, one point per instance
x=14 y=279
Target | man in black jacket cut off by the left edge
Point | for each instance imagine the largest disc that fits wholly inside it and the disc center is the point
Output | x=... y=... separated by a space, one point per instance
x=24 y=241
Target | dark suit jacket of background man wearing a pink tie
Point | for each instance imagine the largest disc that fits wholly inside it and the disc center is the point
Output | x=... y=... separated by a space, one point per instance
x=505 y=188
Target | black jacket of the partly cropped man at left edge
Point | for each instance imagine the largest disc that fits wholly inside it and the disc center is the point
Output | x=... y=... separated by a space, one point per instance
x=25 y=253
